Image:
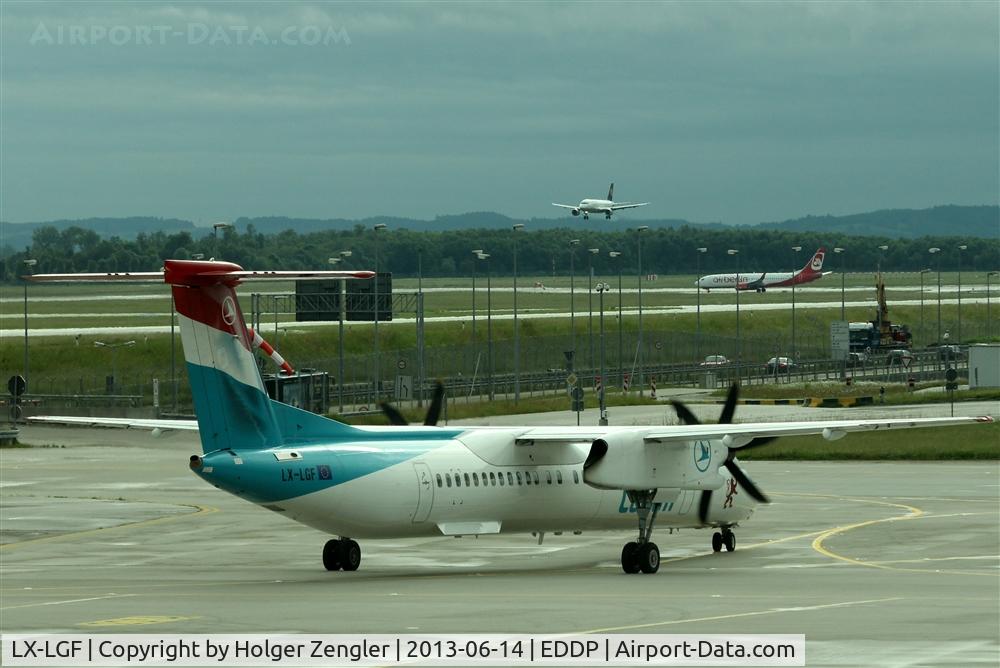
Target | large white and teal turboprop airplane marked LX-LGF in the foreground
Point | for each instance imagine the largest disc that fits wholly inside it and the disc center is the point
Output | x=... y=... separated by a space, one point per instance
x=399 y=481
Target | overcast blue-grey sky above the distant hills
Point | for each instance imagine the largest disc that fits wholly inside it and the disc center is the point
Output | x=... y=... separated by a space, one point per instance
x=733 y=112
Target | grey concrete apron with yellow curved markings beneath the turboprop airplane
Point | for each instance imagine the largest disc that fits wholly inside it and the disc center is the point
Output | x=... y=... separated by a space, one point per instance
x=877 y=564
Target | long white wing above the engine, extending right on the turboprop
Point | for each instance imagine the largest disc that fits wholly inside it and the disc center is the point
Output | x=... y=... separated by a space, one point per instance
x=739 y=434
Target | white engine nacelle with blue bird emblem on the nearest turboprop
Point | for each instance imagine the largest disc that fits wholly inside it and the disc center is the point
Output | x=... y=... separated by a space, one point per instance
x=626 y=461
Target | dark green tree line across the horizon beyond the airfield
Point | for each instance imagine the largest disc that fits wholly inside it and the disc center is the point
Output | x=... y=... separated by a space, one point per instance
x=407 y=253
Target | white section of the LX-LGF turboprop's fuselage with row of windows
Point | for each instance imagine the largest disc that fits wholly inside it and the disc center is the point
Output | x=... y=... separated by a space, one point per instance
x=452 y=490
